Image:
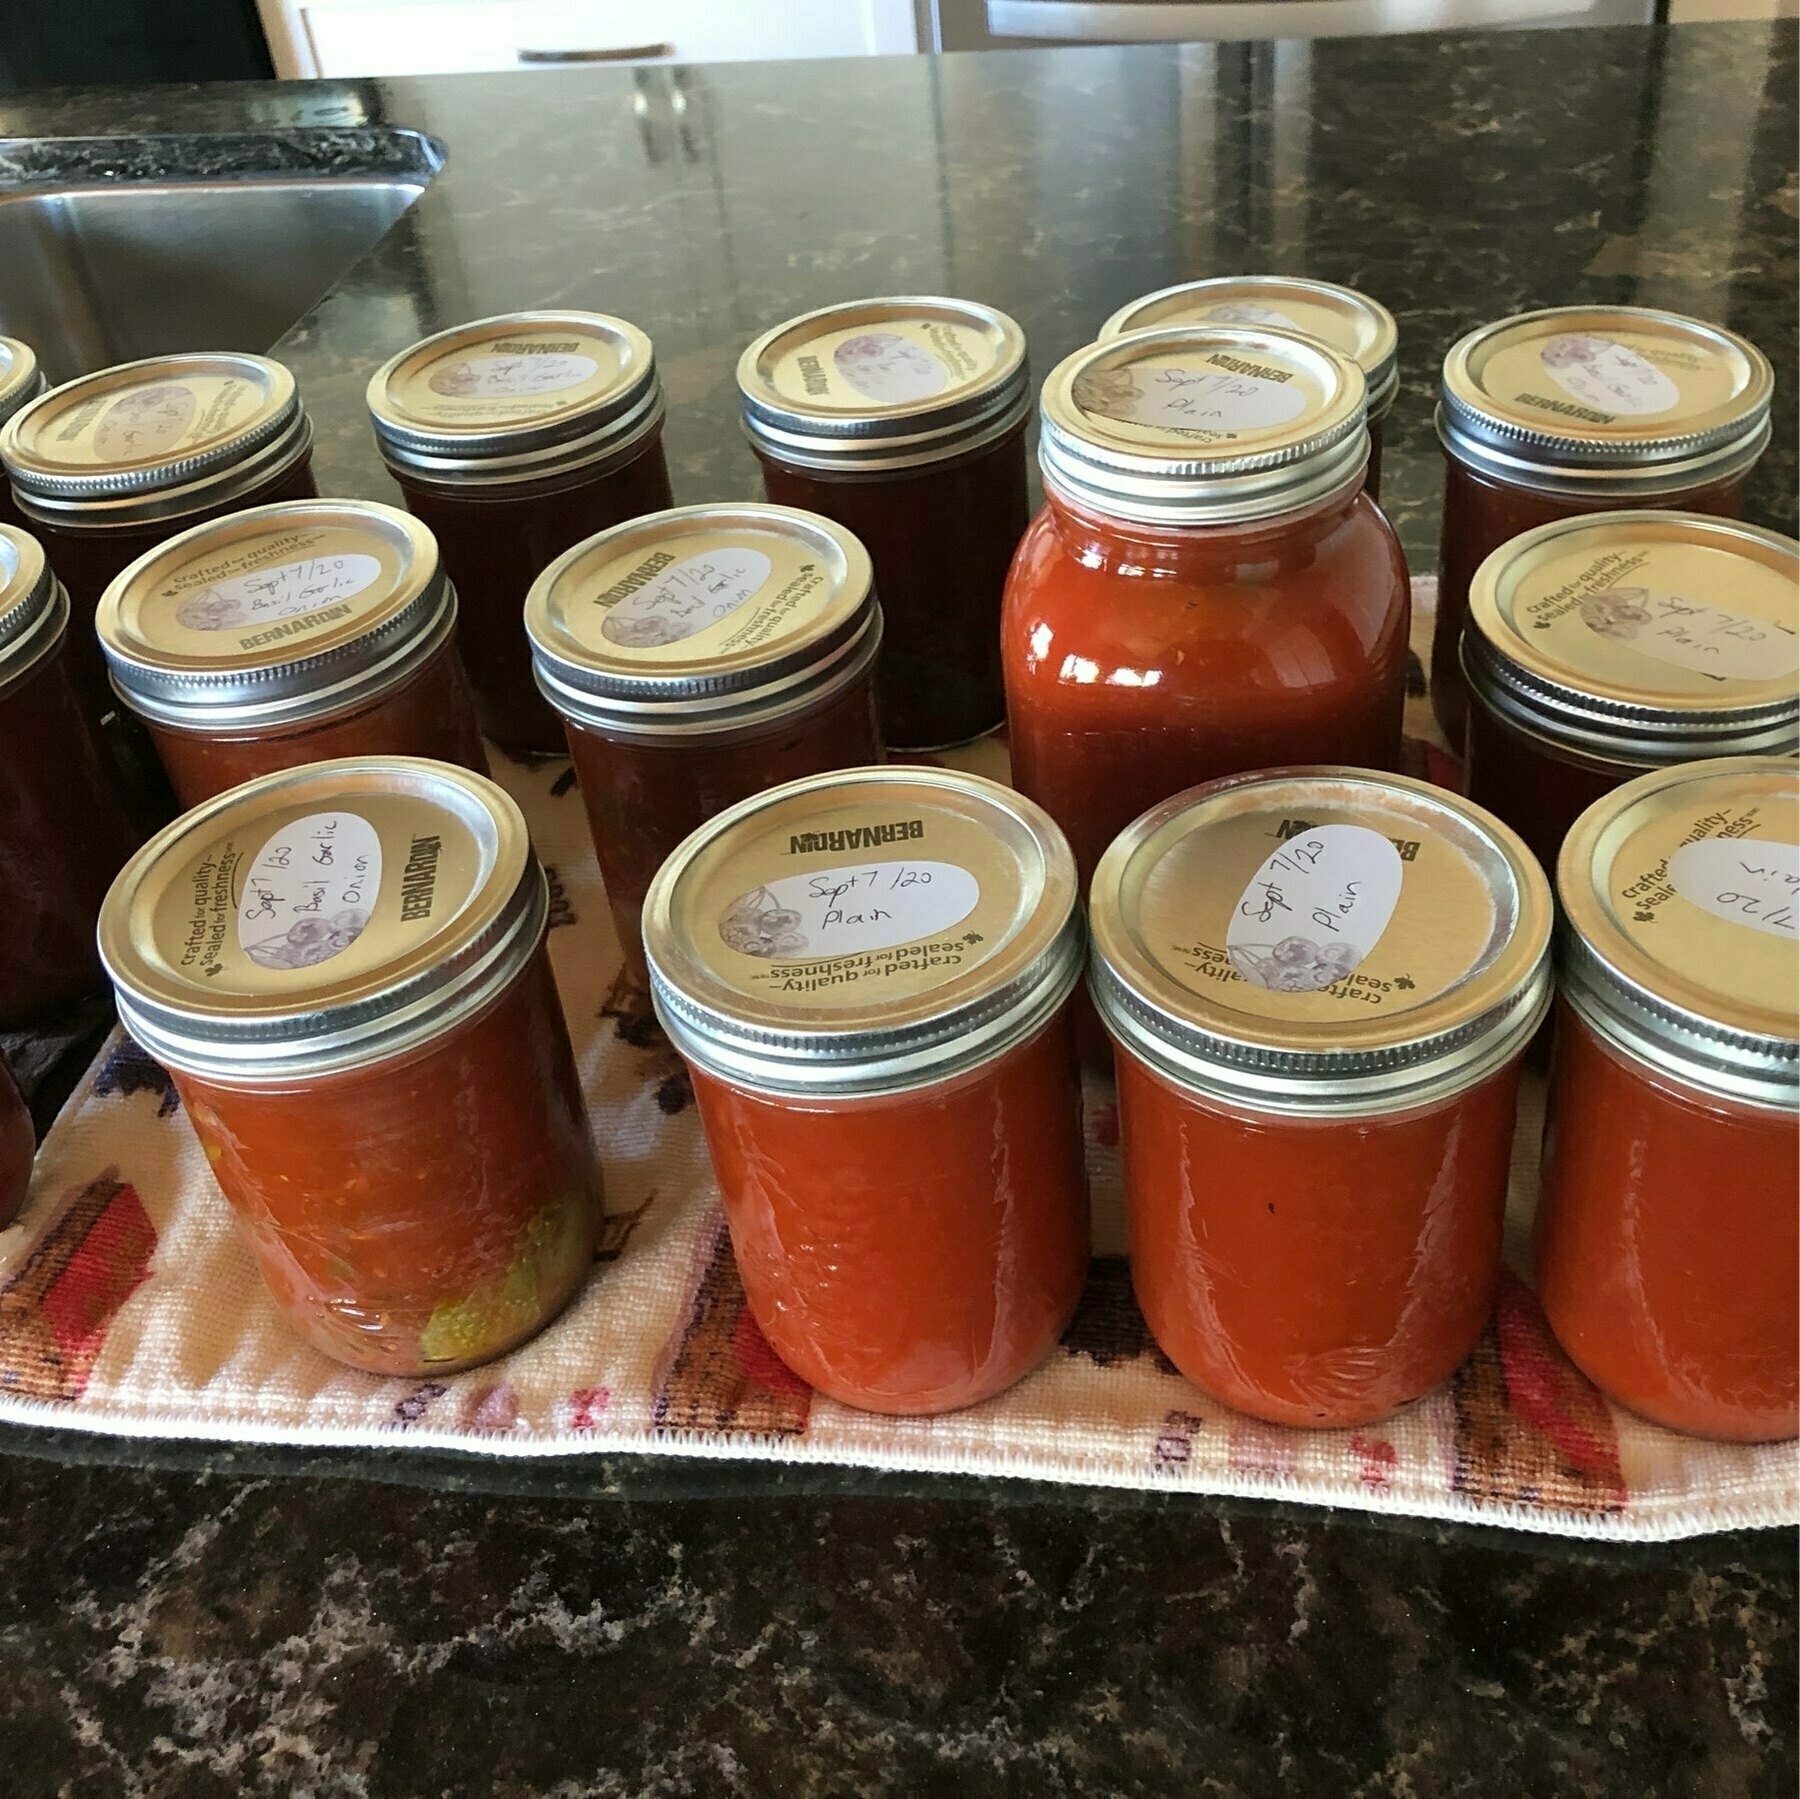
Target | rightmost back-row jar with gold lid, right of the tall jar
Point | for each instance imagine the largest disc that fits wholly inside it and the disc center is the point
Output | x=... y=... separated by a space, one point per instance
x=1574 y=411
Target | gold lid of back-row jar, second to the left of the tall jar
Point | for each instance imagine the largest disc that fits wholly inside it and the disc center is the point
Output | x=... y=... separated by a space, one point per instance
x=517 y=399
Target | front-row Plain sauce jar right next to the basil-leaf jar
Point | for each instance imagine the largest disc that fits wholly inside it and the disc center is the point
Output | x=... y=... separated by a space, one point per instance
x=867 y=975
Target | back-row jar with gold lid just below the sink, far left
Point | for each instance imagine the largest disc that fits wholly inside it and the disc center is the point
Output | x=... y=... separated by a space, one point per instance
x=114 y=464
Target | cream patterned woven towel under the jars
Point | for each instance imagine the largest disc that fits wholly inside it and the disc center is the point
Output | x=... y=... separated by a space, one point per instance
x=129 y=1306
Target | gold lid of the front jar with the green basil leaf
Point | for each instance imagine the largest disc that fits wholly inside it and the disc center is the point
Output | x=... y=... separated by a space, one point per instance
x=323 y=919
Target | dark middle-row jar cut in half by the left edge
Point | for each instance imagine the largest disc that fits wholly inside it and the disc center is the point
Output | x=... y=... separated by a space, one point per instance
x=64 y=822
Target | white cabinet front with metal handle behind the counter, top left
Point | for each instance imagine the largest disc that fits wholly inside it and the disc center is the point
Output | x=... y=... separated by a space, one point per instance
x=444 y=37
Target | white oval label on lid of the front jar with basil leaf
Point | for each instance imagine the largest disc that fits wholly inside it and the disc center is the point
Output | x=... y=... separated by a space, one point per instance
x=310 y=890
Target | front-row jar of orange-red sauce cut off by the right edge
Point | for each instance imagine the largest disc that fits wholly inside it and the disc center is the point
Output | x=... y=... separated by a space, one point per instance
x=1669 y=1231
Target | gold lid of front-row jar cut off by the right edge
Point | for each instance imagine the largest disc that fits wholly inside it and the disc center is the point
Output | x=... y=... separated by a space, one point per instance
x=1682 y=925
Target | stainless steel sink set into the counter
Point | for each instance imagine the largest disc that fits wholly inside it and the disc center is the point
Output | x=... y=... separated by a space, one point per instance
x=114 y=249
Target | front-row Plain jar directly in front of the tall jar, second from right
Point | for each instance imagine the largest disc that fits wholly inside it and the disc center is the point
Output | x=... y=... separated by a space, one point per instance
x=1318 y=984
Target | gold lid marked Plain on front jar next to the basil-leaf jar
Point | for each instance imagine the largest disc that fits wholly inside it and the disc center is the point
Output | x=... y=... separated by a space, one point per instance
x=863 y=932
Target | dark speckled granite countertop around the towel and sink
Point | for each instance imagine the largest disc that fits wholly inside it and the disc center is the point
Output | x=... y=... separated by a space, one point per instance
x=184 y=1622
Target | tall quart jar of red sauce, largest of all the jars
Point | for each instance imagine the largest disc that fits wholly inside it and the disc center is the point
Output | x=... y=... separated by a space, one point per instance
x=1209 y=588
